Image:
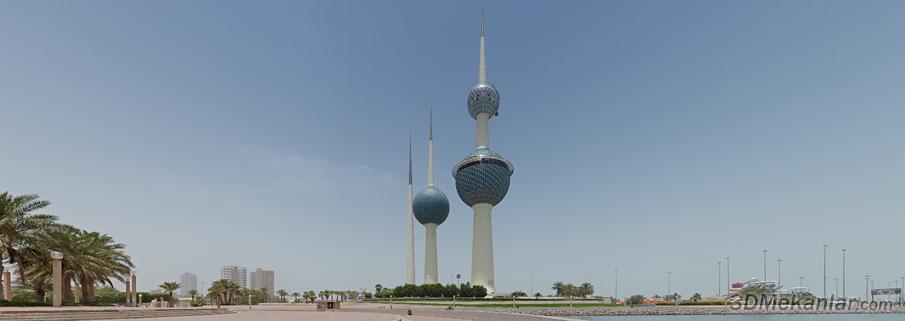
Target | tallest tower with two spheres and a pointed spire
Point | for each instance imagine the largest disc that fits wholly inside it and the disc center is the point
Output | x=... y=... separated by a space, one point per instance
x=482 y=178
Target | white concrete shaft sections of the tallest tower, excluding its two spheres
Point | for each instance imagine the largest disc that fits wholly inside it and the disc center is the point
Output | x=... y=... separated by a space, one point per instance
x=482 y=237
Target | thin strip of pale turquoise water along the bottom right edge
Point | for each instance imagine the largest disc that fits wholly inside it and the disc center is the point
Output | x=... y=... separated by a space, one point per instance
x=798 y=317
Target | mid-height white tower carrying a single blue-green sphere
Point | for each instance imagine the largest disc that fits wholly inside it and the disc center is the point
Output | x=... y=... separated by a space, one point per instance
x=431 y=208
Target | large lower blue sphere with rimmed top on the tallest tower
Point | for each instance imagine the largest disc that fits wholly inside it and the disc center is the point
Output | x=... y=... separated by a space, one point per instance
x=482 y=177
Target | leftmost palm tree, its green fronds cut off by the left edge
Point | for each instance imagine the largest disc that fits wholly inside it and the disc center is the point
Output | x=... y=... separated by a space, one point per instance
x=22 y=231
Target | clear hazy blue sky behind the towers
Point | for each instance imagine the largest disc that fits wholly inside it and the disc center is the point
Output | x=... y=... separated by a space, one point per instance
x=648 y=136
